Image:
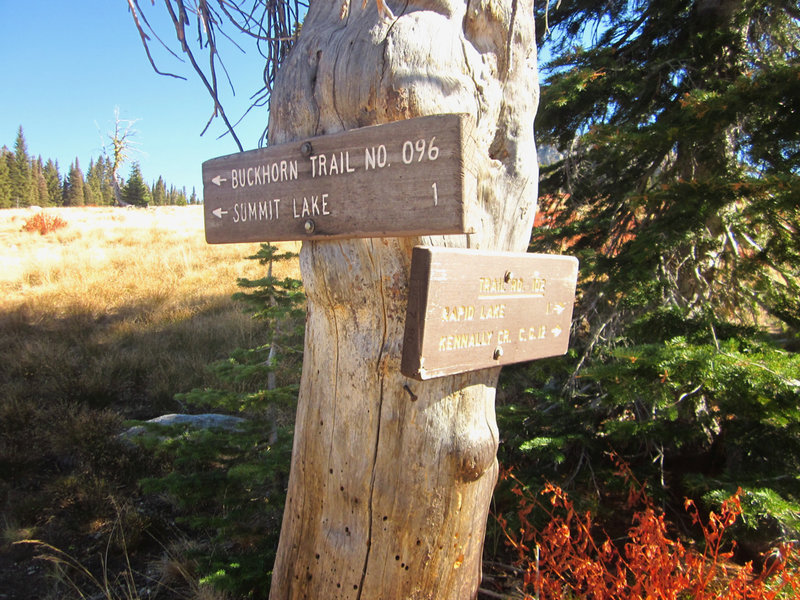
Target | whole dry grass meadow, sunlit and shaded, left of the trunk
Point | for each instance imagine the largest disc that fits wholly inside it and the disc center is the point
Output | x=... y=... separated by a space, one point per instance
x=102 y=320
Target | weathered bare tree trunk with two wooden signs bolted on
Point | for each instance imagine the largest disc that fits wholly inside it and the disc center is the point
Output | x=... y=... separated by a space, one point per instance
x=391 y=478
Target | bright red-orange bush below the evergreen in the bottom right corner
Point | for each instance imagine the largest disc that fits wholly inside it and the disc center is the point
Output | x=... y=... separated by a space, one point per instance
x=569 y=559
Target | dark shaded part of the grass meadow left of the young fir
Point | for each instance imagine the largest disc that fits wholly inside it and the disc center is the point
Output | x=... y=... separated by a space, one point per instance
x=68 y=381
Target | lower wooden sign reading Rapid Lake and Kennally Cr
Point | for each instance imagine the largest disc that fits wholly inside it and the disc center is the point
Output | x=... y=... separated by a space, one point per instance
x=472 y=309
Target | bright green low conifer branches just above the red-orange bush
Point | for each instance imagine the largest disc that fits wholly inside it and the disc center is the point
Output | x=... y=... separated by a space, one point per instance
x=696 y=406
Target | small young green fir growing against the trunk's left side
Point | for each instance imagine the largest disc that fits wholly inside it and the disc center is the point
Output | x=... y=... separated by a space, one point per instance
x=227 y=485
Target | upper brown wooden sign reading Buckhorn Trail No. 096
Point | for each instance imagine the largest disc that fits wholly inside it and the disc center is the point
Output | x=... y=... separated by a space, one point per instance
x=410 y=177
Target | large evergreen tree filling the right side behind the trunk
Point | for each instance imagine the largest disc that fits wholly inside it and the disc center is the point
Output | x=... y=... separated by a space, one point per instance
x=677 y=187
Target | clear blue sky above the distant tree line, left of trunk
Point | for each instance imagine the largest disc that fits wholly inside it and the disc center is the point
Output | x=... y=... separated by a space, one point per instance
x=65 y=66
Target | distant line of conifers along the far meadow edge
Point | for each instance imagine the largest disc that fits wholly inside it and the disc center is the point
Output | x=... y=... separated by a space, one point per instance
x=29 y=181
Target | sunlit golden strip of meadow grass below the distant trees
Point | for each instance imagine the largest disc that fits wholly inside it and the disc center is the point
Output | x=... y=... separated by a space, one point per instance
x=104 y=251
